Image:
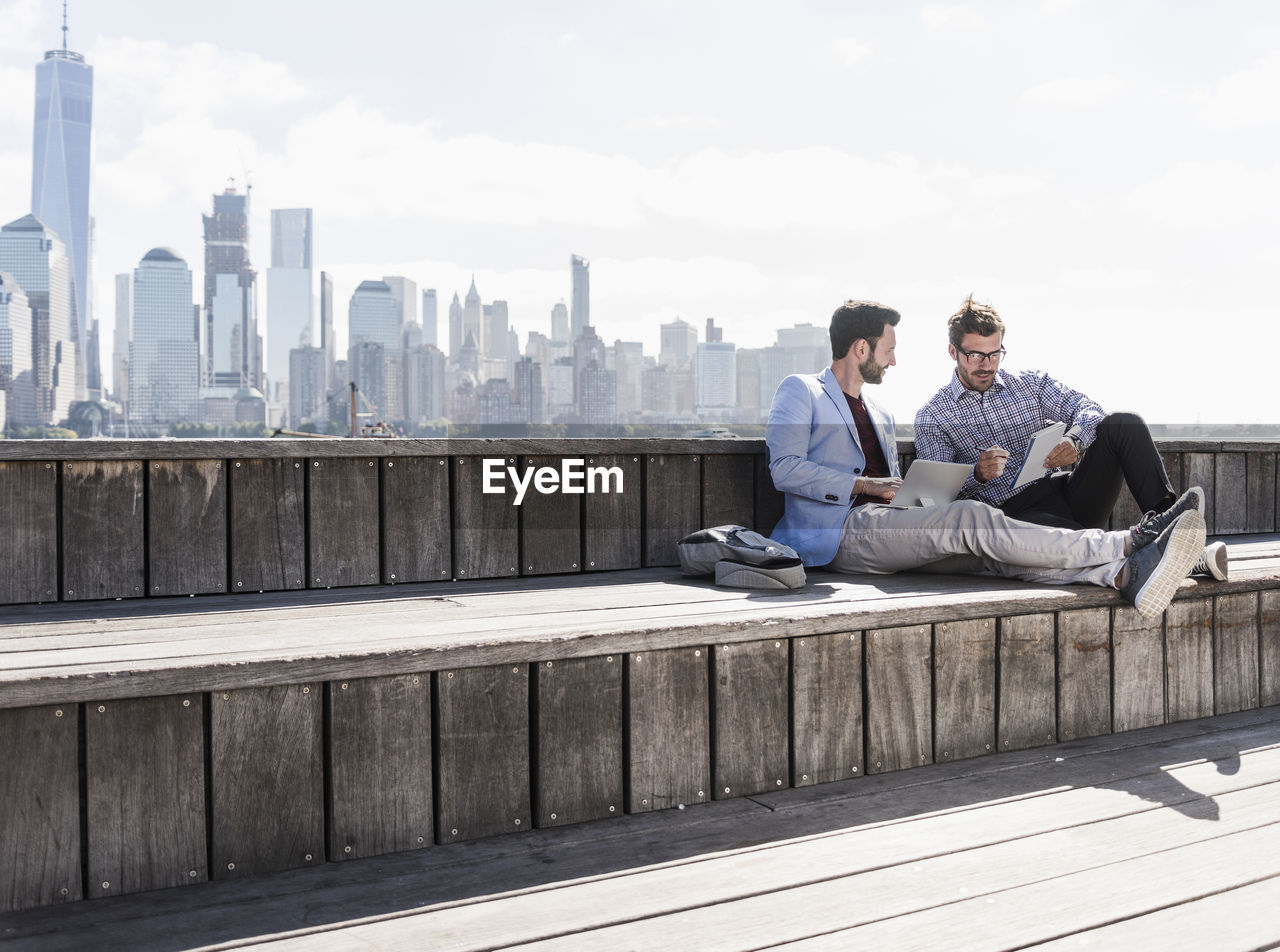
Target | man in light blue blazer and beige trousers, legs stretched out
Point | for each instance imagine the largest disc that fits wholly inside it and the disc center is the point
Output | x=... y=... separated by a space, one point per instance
x=834 y=455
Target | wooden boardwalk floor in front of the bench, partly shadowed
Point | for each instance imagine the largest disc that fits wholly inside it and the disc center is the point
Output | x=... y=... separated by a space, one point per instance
x=1167 y=837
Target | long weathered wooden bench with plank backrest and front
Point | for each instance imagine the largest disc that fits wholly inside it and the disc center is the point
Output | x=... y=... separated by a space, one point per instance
x=561 y=671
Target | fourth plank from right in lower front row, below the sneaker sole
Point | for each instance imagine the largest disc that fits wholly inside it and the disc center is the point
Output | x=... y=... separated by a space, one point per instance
x=1139 y=670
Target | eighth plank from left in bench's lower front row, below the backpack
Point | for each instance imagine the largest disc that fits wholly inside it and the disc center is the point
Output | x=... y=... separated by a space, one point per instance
x=749 y=718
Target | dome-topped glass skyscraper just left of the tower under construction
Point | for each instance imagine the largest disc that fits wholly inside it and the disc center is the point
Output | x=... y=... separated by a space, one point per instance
x=164 y=356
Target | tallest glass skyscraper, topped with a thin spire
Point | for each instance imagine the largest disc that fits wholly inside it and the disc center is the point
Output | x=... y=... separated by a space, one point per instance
x=61 y=177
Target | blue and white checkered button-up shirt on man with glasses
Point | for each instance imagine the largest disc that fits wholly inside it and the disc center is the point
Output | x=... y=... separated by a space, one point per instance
x=958 y=424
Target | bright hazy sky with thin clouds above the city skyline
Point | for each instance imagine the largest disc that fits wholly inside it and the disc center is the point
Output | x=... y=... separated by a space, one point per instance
x=1105 y=173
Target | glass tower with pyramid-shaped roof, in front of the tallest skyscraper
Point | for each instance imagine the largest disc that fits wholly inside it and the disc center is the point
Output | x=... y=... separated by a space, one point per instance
x=36 y=258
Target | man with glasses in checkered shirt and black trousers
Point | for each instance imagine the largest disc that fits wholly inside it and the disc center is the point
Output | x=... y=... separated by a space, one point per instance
x=988 y=415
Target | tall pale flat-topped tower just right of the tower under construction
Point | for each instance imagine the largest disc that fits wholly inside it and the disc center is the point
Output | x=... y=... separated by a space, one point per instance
x=290 y=303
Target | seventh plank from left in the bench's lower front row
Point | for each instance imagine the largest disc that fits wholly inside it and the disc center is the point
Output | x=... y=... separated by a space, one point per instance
x=669 y=729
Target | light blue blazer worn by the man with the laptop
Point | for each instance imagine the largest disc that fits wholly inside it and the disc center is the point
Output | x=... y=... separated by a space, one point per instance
x=815 y=459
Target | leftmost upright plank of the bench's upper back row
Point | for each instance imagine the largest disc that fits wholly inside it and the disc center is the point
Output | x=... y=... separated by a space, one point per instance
x=29 y=512
